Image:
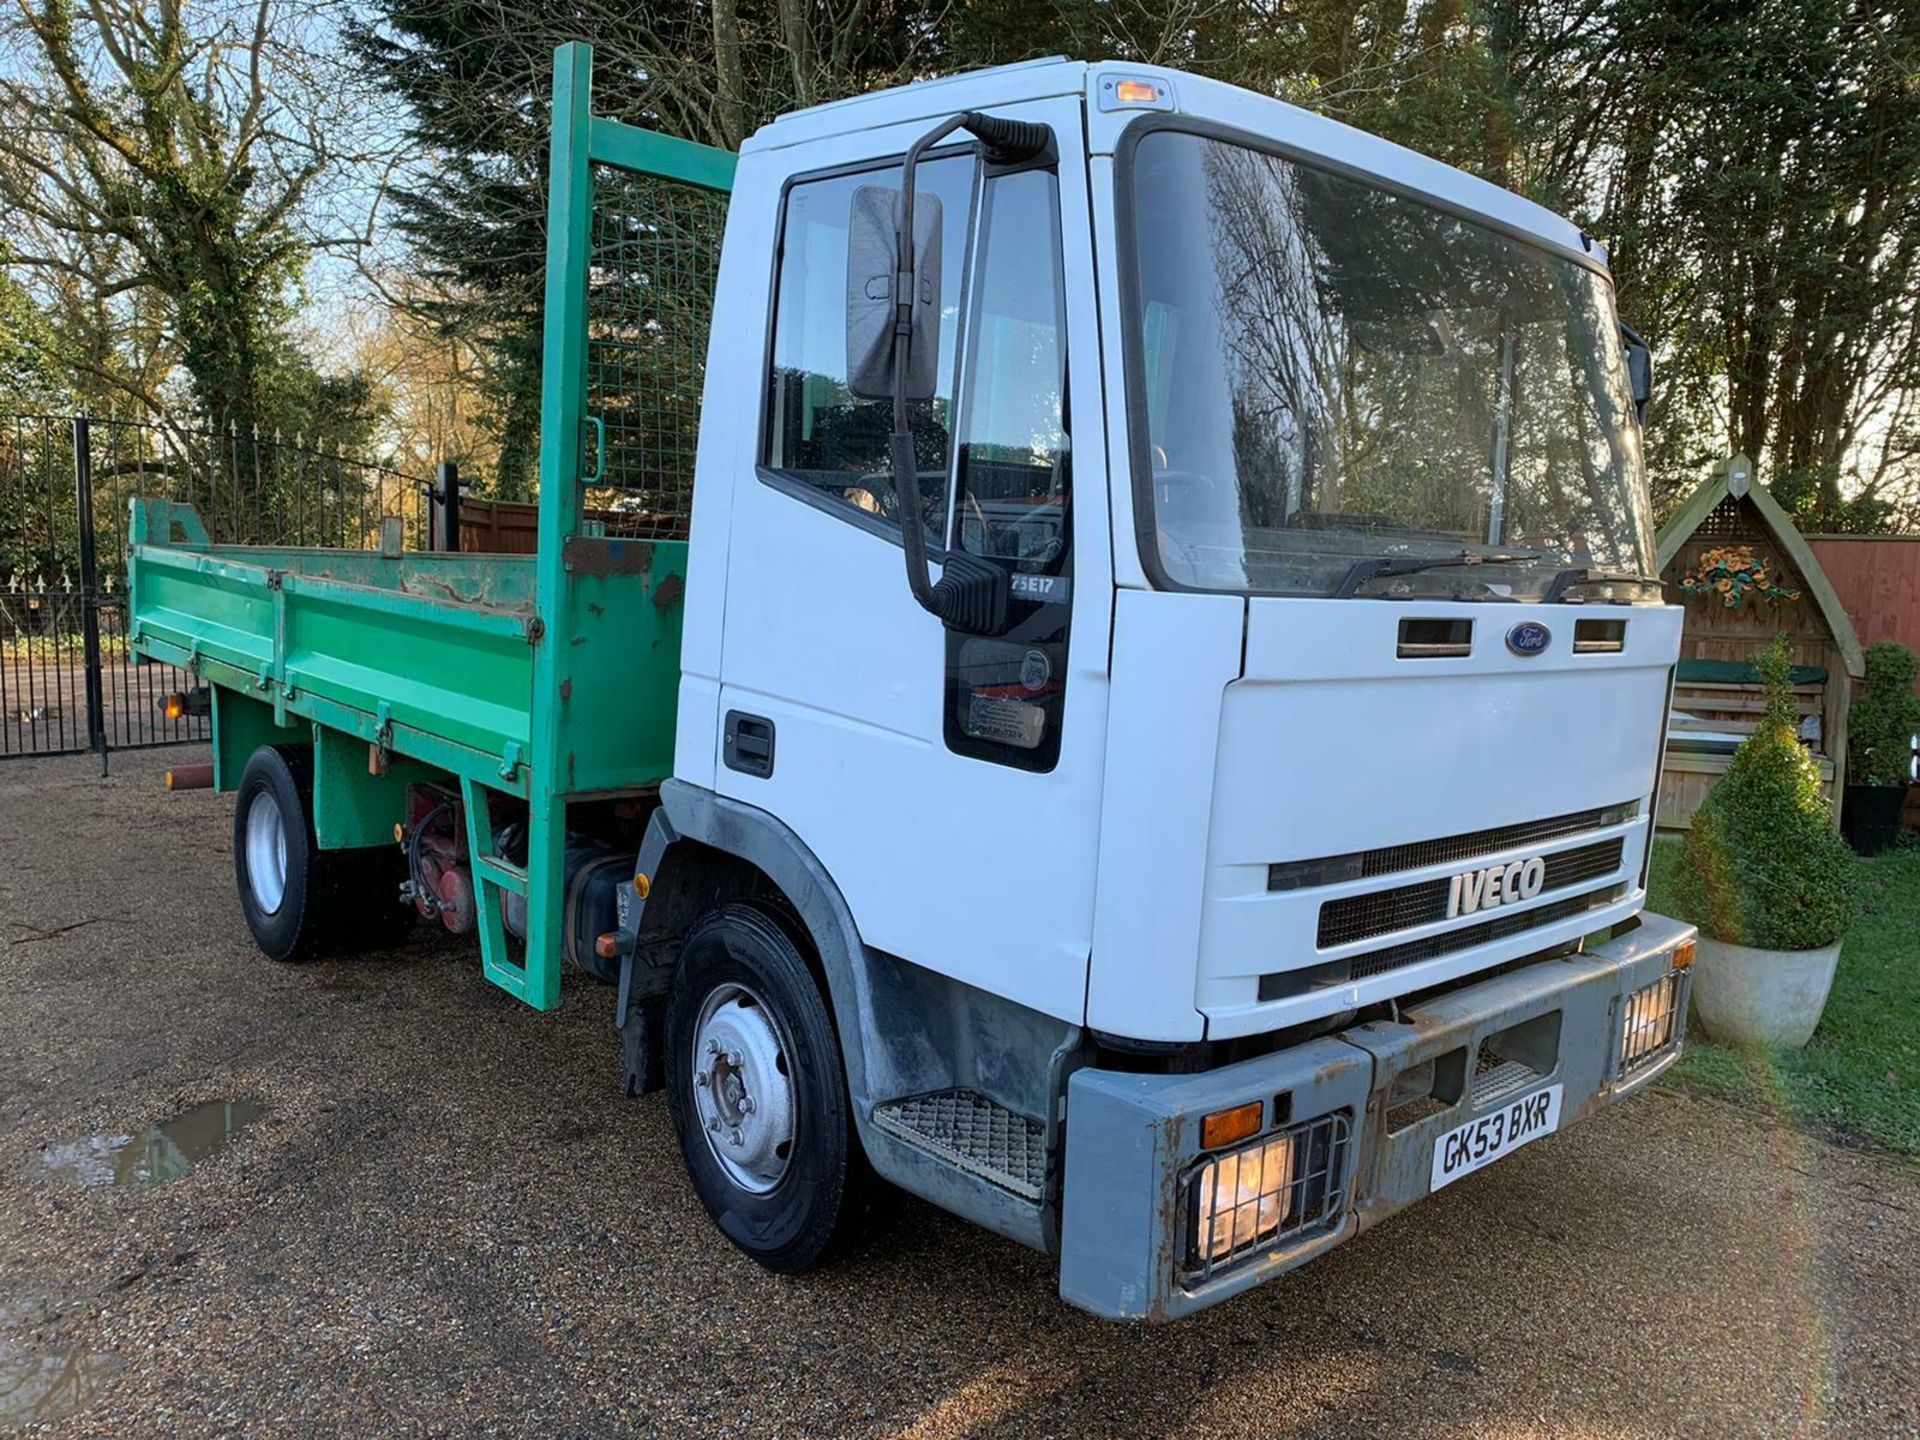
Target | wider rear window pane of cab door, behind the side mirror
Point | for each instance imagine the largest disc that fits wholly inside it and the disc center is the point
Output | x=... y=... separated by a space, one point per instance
x=819 y=435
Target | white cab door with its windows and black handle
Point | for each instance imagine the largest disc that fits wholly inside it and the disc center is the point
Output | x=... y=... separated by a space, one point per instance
x=951 y=784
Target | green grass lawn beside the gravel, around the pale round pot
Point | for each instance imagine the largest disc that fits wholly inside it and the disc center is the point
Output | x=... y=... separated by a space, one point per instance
x=1861 y=1072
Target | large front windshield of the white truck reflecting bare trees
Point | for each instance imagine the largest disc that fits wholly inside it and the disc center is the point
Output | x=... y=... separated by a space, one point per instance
x=1330 y=373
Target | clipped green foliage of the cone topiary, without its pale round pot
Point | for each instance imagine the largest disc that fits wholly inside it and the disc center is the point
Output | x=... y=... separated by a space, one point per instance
x=1764 y=863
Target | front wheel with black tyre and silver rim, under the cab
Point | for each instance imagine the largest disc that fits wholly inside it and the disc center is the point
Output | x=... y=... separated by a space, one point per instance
x=759 y=1095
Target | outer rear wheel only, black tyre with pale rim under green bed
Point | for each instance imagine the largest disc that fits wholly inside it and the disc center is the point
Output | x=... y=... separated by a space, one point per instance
x=277 y=865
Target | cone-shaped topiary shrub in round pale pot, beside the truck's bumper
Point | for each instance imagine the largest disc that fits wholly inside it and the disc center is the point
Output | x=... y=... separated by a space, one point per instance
x=1767 y=880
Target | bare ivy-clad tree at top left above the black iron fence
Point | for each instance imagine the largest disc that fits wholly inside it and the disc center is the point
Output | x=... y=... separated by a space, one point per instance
x=160 y=166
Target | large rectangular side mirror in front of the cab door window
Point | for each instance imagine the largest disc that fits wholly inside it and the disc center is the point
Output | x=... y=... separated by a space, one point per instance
x=873 y=245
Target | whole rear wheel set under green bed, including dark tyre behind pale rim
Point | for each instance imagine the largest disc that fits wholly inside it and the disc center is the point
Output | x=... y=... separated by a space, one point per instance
x=299 y=900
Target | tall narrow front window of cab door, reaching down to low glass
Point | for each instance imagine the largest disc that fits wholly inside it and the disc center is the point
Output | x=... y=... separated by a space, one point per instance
x=1007 y=696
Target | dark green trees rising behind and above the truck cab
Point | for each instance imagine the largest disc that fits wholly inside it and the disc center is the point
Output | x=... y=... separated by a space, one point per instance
x=1750 y=168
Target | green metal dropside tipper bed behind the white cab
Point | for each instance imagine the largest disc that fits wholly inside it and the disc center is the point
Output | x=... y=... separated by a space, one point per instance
x=429 y=656
